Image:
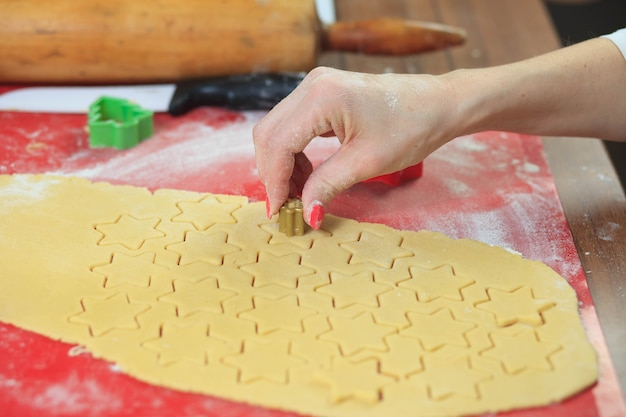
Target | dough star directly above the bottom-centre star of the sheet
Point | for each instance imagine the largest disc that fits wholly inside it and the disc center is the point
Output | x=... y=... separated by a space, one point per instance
x=354 y=334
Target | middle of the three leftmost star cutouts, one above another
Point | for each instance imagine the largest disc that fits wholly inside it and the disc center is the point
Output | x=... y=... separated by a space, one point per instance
x=127 y=269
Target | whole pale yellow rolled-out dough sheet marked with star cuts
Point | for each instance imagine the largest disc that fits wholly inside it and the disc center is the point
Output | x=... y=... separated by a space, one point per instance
x=201 y=293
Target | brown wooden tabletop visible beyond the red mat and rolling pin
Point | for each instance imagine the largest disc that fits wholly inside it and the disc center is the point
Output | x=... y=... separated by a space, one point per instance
x=502 y=31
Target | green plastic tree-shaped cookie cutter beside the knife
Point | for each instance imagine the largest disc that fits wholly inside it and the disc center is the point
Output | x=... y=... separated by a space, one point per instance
x=118 y=123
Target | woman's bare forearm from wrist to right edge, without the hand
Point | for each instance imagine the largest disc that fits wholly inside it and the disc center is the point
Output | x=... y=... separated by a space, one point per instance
x=576 y=91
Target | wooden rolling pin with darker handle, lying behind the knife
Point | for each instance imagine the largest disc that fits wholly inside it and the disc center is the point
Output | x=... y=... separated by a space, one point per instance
x=121 y=41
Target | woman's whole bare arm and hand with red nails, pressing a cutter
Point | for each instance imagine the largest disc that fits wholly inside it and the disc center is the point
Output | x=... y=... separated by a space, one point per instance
x=388 y=122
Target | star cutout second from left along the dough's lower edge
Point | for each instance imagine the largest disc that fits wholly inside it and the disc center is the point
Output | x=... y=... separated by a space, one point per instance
x=186 y=343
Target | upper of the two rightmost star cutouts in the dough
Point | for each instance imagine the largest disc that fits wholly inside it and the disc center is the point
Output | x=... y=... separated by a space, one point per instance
x=516 y=306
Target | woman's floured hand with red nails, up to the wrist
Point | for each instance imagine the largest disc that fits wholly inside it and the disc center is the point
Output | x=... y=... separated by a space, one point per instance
x=384 y=123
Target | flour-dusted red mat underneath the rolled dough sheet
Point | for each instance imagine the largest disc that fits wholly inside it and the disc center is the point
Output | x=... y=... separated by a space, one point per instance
x=493 y=187
